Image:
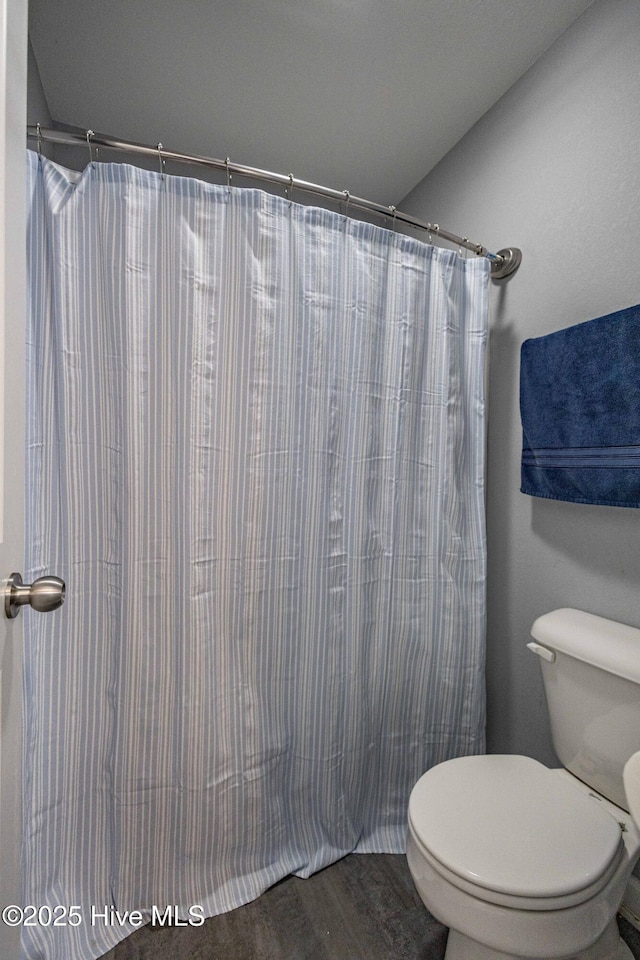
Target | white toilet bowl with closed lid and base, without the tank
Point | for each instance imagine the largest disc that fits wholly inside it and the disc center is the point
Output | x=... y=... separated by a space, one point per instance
x=497 y=851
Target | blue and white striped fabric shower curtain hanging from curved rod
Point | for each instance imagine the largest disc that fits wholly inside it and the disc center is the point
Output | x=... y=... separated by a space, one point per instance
x=255 y=454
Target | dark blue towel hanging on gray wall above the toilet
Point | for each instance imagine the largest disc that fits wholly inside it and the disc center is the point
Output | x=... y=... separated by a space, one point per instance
x=580 y=408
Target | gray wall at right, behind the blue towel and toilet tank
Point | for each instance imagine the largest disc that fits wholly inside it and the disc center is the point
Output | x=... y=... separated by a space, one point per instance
x=553 y=168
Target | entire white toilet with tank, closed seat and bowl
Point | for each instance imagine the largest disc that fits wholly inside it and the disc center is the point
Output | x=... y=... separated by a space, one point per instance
x=521 y=861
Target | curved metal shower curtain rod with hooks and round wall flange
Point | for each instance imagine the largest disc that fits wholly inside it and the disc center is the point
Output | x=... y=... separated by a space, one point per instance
x=504 y=263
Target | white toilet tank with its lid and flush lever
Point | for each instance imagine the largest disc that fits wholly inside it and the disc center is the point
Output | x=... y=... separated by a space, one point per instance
x=591 y=674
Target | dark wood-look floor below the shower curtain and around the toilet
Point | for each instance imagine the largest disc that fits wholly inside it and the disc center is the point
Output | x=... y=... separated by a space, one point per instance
x=364 y=907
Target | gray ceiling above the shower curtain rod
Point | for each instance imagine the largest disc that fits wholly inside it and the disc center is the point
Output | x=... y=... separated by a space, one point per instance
x=363 y=95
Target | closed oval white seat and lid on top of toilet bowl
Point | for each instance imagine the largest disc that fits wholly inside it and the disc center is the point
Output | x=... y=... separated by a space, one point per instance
x=510 y=831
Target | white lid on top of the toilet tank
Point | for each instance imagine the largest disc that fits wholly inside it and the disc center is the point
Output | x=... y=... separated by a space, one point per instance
x=606 y=644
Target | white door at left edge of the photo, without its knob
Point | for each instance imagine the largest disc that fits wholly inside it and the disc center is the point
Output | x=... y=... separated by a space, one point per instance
x=13 y=88
